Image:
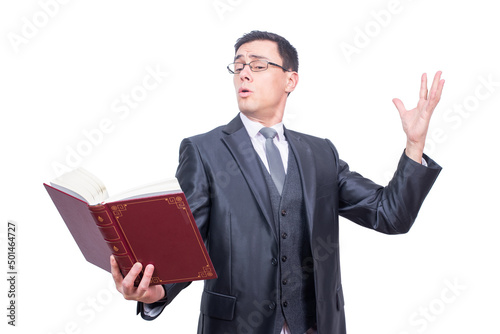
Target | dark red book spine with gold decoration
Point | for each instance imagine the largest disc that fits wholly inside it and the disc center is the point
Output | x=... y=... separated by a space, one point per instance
x=114 y=238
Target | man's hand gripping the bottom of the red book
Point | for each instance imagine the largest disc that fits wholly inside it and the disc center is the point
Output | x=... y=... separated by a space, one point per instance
x=125 y=285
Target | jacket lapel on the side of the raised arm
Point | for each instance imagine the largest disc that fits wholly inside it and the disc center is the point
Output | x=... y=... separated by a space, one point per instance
x=304 y=157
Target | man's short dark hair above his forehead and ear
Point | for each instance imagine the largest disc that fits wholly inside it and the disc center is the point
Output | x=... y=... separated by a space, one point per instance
x=287 y=52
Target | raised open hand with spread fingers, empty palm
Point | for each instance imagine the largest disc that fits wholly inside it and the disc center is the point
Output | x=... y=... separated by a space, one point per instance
x=416 y=121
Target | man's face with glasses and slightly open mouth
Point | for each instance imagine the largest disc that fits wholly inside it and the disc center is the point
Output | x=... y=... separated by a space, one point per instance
x=261 y=95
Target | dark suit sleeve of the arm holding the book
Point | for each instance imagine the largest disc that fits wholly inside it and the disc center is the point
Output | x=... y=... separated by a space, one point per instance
x=194 y=182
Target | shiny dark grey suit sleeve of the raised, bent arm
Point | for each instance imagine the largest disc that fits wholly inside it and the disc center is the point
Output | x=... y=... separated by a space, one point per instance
x=391 y=209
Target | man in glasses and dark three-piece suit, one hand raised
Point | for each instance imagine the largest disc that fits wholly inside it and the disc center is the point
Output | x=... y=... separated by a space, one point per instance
x=273 y=239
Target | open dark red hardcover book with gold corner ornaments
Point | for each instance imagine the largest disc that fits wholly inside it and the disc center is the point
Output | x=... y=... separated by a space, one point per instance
x=151 y=224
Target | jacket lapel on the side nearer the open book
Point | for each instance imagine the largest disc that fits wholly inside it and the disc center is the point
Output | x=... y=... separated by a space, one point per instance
x=239 y=144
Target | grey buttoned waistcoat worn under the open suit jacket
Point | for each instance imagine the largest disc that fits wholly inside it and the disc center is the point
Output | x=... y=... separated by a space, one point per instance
x=296 y=291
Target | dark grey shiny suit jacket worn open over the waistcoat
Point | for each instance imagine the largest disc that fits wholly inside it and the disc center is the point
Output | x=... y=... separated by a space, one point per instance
x=221 y=175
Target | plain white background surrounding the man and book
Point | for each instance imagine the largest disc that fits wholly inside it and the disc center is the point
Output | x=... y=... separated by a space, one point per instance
x=64 y=70
